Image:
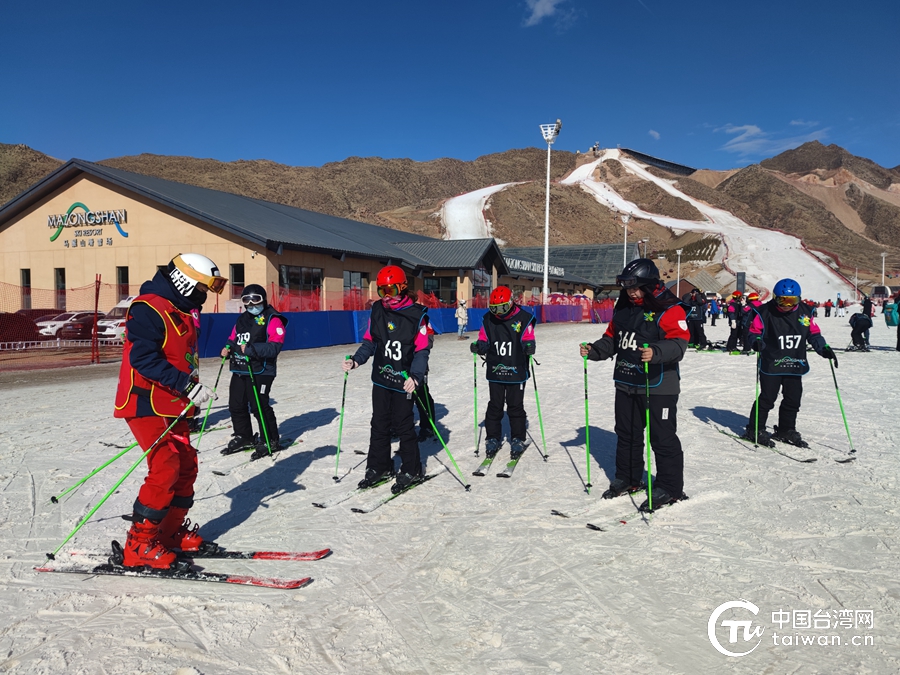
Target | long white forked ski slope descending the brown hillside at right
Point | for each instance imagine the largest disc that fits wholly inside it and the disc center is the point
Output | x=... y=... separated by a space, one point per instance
x=765 y=256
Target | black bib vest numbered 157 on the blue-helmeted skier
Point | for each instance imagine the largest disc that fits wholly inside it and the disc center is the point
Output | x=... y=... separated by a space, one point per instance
x=784 y=340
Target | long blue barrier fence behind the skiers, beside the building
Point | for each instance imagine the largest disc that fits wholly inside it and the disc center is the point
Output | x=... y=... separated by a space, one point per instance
x=307 y=330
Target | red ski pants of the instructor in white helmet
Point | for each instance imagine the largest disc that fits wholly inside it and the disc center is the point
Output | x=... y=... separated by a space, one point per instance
x=171 y=466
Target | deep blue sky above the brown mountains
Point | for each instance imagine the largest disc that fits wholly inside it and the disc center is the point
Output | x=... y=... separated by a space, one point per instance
x=714 y=84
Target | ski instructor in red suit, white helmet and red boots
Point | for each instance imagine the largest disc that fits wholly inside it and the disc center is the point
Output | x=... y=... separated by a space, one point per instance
x=157 y=381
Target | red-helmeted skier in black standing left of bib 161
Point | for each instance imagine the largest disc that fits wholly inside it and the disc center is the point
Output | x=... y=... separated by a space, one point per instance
x=400 y=339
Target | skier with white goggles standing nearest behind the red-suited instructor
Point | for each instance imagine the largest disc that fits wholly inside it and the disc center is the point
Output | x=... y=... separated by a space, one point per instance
x=254 y=345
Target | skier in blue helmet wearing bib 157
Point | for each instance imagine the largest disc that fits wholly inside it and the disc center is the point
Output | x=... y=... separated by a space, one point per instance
x=779 y=333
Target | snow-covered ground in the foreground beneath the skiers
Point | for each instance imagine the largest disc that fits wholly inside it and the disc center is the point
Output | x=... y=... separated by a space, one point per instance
x=445 y=581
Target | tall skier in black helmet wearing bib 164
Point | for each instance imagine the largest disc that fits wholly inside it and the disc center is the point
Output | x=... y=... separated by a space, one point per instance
x=646 y=314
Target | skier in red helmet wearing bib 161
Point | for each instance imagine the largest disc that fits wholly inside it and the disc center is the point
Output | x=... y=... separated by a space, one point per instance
x=507 y=340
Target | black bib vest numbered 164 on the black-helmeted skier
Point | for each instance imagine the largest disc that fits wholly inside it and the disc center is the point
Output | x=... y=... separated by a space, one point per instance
x=634 y=328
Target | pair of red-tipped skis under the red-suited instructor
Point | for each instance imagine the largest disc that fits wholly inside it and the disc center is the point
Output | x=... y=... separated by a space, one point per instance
x=185 y=571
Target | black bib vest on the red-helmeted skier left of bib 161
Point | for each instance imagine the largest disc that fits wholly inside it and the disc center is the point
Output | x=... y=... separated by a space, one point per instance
x=394 y=334
